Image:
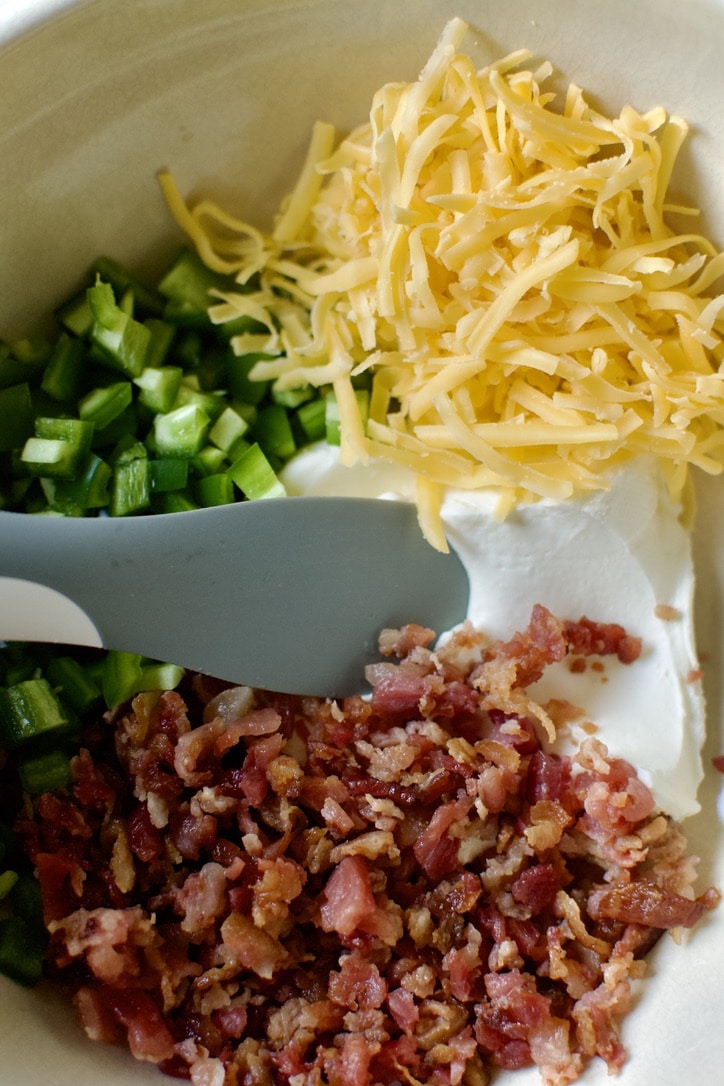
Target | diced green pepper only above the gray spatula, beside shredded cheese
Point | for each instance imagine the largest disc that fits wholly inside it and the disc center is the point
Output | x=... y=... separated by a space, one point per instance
x=142 y=406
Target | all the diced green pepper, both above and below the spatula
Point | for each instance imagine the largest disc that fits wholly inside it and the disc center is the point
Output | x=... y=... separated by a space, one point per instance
x=137 y=406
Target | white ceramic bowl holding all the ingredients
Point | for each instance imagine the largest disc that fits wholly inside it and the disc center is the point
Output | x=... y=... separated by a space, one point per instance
x=97 y=95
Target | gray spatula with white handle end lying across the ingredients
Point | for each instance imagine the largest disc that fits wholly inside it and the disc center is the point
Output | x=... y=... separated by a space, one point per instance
x=287 y=595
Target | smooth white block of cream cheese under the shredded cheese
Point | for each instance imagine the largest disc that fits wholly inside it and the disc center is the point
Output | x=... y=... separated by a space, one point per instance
x=623 y=557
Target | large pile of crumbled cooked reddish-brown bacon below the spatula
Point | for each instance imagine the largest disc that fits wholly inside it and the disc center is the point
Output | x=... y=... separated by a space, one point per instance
x=251 y=889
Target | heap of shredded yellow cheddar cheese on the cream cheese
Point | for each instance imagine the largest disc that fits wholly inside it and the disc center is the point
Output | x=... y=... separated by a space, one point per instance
x=505 y=274
